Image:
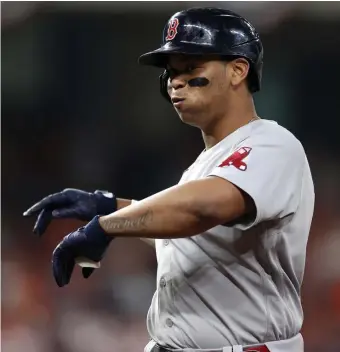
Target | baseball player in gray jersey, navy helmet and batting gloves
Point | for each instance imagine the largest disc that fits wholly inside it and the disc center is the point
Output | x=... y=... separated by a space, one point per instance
x=231 y=237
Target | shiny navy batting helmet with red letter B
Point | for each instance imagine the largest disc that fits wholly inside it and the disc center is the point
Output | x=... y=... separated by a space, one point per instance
x=209 y=31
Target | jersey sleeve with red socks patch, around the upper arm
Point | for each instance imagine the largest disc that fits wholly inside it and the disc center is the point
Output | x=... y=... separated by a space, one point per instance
x=269 y=171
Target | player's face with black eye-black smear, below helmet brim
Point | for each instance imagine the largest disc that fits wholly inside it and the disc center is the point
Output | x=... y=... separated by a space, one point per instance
x=199 y=87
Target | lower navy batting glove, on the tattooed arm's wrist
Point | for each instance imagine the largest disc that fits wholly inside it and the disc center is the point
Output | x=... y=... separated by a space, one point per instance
x=90 y=242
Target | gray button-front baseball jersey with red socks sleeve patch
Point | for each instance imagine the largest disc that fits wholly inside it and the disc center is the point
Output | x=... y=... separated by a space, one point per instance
x=239 y=284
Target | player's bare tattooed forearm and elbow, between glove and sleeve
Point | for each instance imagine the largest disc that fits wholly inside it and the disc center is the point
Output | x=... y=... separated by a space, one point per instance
x=181 y=211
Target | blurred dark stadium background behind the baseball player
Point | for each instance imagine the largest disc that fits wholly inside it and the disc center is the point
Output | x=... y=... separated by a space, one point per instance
x=77 y=111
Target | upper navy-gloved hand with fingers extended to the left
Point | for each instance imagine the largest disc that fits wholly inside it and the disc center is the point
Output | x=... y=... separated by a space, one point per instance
x=71 y=203
